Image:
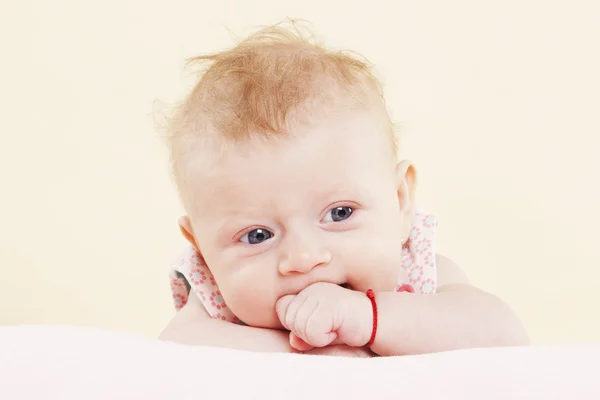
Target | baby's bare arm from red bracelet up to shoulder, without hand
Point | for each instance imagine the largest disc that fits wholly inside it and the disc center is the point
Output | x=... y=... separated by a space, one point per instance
x=457 y=316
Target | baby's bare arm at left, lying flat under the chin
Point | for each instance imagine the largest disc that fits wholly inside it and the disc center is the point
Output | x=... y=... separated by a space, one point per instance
x=192 y=325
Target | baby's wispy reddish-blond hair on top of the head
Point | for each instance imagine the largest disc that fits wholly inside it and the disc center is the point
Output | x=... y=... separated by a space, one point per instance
x=273 y=79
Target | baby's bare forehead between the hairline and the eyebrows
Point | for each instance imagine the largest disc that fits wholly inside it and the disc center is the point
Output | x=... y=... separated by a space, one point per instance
x=303 y=169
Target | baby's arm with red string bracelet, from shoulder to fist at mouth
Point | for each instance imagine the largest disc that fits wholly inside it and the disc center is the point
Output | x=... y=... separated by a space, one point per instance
x=457 y=316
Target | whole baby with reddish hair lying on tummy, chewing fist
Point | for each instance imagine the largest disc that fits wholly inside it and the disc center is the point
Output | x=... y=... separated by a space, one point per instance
x=303 y=229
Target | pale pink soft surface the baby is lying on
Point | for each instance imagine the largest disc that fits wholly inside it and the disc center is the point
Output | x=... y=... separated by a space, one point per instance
x=61 y=362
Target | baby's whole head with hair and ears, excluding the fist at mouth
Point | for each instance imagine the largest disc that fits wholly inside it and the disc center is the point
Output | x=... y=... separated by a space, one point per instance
x=285 y=160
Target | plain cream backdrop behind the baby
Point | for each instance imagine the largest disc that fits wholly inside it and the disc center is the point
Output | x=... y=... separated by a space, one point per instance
x=499 y=104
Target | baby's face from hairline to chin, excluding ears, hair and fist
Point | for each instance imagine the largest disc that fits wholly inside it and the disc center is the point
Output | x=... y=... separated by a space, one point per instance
x=321 y=206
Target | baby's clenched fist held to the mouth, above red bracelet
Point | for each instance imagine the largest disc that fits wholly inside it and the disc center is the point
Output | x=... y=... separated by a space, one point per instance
x=324 y=314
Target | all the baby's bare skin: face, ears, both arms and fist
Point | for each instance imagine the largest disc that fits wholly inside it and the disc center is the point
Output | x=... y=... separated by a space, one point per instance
x=287 y=221
